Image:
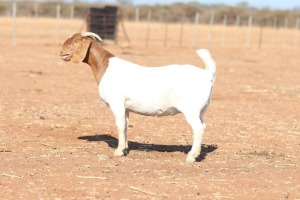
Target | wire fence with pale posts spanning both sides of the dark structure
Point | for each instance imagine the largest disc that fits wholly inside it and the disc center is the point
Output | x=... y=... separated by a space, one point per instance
x=163 y=33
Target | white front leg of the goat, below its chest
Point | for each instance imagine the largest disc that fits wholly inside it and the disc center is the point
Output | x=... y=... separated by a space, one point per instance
x=121 y=123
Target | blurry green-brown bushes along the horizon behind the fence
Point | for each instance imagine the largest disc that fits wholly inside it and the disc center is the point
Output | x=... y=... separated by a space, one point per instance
x=177 y=12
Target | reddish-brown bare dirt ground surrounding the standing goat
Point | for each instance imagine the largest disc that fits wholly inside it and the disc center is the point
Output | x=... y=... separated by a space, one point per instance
x=57 y=140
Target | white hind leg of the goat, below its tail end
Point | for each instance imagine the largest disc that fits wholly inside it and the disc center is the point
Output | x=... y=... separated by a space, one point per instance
x=198 y=127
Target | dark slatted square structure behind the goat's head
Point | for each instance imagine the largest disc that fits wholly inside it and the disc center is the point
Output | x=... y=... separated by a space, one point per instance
x=103 y=21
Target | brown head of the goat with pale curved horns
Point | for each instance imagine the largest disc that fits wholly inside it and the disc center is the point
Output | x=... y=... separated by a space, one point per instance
x=76 y=47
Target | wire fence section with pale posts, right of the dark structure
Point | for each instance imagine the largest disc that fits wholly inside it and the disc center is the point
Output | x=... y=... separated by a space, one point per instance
x=208 y=33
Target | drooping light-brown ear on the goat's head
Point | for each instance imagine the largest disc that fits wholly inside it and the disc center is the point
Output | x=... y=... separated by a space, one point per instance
x=80 y=50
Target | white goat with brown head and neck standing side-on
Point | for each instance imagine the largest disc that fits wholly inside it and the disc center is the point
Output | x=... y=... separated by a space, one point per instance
x=152 y=91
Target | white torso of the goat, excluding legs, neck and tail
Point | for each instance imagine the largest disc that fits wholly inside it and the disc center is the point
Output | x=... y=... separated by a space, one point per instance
x=155 y=91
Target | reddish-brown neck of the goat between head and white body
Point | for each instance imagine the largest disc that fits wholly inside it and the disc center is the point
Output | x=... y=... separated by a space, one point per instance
x=98 y=59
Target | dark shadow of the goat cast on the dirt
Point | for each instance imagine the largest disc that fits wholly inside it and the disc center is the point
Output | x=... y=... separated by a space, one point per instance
x=113 y=143
